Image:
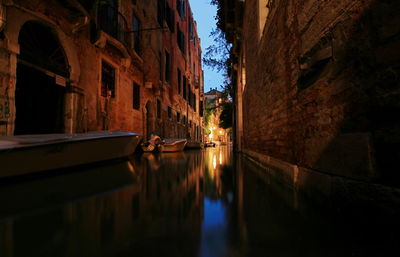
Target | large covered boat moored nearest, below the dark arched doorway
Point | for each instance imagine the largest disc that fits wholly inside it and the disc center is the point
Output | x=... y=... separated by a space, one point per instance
x=25 y=154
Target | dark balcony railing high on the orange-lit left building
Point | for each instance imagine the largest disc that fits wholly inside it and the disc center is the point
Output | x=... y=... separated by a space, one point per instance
x=111 y=21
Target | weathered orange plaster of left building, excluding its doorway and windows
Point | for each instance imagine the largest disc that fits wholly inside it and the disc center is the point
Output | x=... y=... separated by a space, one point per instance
x=85 y=49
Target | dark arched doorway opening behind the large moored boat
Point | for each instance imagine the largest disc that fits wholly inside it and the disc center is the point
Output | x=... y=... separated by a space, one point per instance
x=39 y=100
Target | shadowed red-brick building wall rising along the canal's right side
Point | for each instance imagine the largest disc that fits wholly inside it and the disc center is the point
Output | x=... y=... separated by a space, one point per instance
x=317 y=88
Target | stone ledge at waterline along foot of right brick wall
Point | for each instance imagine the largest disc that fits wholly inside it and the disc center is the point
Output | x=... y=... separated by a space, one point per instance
x=330 y=190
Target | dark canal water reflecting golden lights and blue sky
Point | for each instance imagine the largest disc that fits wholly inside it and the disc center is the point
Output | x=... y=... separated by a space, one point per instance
x=201 y=203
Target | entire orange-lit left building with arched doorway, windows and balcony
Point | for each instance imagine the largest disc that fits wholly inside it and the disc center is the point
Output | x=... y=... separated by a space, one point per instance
x=76 y=66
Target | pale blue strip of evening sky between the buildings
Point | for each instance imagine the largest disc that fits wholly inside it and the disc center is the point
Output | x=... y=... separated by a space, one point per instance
x=204 y=14
